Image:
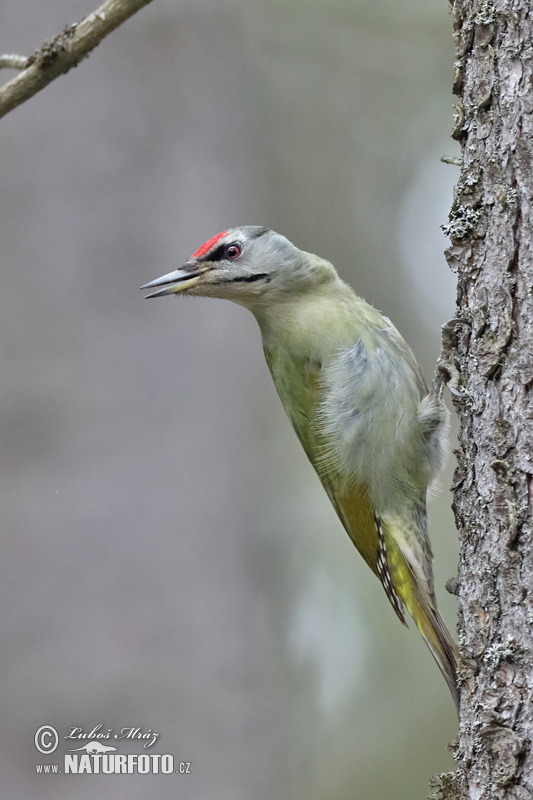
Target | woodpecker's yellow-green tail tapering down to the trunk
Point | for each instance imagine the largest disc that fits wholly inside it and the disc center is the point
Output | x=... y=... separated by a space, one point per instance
x=418 y=599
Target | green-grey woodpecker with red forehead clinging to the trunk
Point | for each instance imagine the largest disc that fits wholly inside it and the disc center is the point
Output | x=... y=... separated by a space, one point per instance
x=356 y=398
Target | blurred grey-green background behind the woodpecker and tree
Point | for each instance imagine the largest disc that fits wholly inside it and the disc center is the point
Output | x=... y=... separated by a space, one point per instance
x=169 y=559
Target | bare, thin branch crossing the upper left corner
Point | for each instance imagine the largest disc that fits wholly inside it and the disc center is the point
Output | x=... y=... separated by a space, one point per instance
x=66 y=50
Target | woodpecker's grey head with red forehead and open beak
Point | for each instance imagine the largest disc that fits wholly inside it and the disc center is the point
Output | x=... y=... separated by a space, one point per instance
x=249 y=265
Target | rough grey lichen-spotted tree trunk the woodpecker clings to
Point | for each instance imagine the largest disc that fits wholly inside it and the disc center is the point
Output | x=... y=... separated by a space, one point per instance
x=491 y=252
